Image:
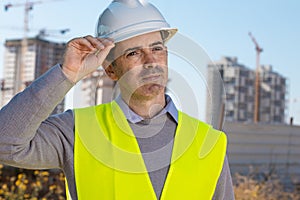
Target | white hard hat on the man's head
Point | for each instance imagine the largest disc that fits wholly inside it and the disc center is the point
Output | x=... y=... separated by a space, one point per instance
x=124 y=19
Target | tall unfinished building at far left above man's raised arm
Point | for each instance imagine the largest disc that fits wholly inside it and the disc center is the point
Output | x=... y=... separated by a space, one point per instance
x=40 y=54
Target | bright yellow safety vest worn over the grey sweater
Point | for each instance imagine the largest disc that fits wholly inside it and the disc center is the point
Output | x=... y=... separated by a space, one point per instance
x=108 y=163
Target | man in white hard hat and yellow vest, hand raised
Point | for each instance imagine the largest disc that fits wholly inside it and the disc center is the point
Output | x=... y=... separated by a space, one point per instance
x=136 y=147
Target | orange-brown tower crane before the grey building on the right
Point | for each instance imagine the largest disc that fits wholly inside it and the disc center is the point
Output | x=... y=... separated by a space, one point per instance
x=258 y=50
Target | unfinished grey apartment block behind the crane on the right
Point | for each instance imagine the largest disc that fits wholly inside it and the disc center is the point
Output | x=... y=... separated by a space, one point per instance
x=238 y=81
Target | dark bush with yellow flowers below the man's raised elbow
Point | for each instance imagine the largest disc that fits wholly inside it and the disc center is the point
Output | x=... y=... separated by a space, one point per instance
x=20 y=184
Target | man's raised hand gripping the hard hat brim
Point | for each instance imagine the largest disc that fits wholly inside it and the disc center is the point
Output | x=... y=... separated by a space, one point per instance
x=84 y=55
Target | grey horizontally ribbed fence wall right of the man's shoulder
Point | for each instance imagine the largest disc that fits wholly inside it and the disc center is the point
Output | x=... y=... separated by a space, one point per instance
x=264 y=148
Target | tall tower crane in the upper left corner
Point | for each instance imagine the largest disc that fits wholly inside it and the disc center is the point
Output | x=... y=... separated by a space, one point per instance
x=28 y=5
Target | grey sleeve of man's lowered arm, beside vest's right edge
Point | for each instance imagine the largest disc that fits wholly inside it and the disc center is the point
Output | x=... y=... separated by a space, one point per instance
x=224 y=189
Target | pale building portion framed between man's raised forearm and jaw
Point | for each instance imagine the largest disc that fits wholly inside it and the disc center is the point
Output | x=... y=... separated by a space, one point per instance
x=96 y=88
